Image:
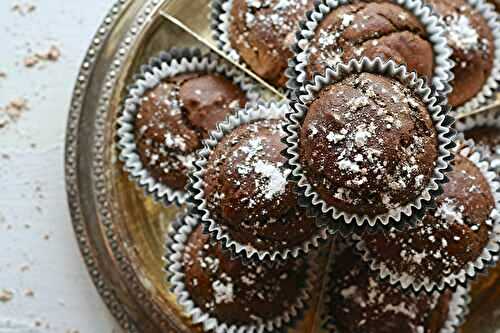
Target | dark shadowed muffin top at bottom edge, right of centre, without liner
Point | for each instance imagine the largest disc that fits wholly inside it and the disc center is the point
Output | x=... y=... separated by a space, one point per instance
x=362 y=303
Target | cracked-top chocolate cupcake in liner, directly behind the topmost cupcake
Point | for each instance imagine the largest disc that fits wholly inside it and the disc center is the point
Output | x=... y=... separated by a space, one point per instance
x=407 y=32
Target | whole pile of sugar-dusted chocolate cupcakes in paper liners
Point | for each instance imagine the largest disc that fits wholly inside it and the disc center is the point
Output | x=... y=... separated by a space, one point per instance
x=363 y=153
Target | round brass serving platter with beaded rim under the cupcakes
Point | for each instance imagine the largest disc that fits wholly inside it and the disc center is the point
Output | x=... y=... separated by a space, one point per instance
x=121 y=232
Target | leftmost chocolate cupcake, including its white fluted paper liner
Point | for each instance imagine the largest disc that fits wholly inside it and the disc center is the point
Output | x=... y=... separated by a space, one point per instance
x=177 y=101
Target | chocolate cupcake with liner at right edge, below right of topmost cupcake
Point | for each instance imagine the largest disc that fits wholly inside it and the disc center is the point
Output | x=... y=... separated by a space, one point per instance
x=451 y=241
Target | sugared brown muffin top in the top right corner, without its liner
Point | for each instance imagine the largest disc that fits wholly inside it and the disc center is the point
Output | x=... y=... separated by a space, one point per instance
x=473 y=46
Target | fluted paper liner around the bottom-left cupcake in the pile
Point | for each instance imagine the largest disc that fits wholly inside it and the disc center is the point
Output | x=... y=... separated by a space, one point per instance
x=177 y=243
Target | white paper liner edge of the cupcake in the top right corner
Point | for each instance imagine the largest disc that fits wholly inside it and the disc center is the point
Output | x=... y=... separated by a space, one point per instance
x=491 y=86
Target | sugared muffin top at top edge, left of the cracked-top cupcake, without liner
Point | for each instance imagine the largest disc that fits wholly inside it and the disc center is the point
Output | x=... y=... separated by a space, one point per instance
x=262 y=32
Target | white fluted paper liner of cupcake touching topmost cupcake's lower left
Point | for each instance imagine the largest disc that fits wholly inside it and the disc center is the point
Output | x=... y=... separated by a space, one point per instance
x=259 y=111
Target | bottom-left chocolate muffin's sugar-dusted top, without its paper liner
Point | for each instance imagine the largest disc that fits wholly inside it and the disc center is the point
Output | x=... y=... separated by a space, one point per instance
x=238 y=293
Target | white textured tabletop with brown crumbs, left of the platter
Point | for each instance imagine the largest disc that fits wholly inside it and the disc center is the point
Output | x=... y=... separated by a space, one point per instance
x=32 y=195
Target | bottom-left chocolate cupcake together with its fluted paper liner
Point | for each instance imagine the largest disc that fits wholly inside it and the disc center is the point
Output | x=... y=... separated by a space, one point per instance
x=229 y=295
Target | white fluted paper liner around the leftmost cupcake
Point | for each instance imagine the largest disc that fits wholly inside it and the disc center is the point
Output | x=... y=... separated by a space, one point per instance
x=167 y=64
